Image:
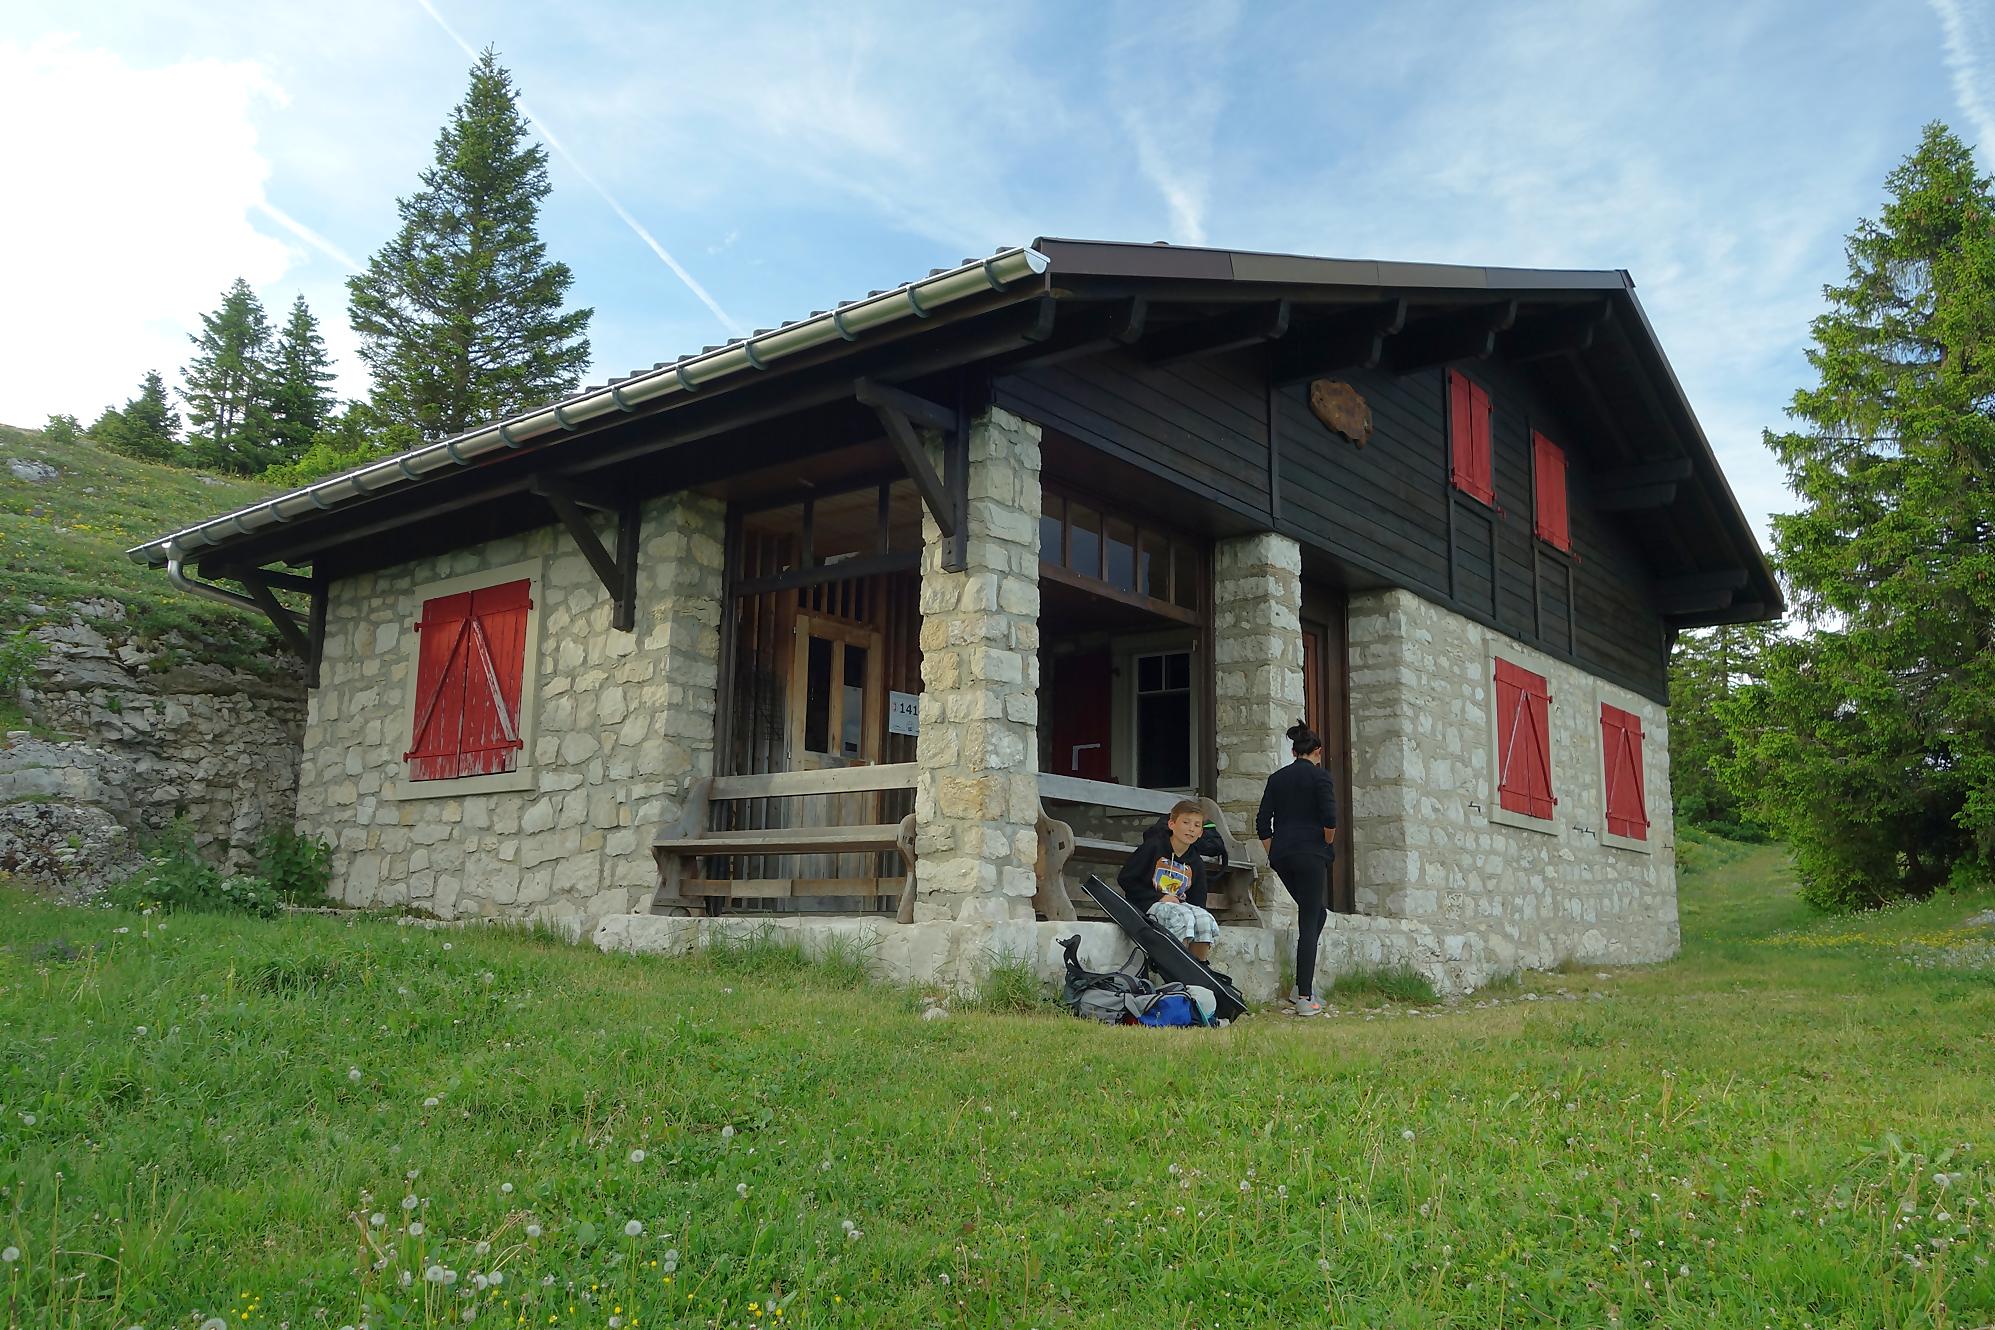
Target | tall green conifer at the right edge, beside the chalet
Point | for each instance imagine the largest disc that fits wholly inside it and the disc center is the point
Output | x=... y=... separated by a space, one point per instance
x=1872 y=743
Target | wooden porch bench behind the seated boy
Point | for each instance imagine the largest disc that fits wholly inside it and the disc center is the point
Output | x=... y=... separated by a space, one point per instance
x=1228 y=890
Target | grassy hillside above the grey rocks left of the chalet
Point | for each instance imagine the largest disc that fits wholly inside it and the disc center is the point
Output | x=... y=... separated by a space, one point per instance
x=65 y=541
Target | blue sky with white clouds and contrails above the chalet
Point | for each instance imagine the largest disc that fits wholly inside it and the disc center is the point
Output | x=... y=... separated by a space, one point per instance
x=789 y=157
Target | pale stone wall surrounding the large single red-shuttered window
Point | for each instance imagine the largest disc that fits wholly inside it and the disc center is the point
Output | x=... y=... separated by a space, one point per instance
x=619 y=723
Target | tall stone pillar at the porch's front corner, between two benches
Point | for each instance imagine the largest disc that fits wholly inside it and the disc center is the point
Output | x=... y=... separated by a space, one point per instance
x=977 y=799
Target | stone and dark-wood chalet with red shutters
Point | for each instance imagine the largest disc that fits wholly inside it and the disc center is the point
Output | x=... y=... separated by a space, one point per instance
x=897 y=621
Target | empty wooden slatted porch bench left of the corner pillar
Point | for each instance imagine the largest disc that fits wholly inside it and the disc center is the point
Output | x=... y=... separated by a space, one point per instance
x=695 y=838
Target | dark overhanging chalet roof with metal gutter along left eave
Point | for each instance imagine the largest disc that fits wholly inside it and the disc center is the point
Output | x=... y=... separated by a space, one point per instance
x=1623 y=372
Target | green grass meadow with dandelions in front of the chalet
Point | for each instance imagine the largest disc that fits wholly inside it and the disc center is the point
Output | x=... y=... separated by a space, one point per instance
x=1747 y=1138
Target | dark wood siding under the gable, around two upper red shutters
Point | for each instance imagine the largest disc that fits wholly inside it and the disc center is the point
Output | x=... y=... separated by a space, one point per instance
x=1386 y=509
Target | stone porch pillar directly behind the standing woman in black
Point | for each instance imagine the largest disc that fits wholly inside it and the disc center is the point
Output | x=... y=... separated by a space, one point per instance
x=1258 y=655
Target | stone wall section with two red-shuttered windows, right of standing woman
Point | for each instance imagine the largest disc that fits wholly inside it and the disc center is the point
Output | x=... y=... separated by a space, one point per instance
x=1423 y=789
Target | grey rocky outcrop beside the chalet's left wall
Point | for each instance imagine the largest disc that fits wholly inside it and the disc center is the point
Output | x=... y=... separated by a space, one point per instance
x=125 y=743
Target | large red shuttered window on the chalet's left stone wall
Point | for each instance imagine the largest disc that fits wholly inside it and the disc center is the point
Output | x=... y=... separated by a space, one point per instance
x=472 y=661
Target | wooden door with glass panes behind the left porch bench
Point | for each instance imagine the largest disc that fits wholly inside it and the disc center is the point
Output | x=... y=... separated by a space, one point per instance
x=837 y=713
